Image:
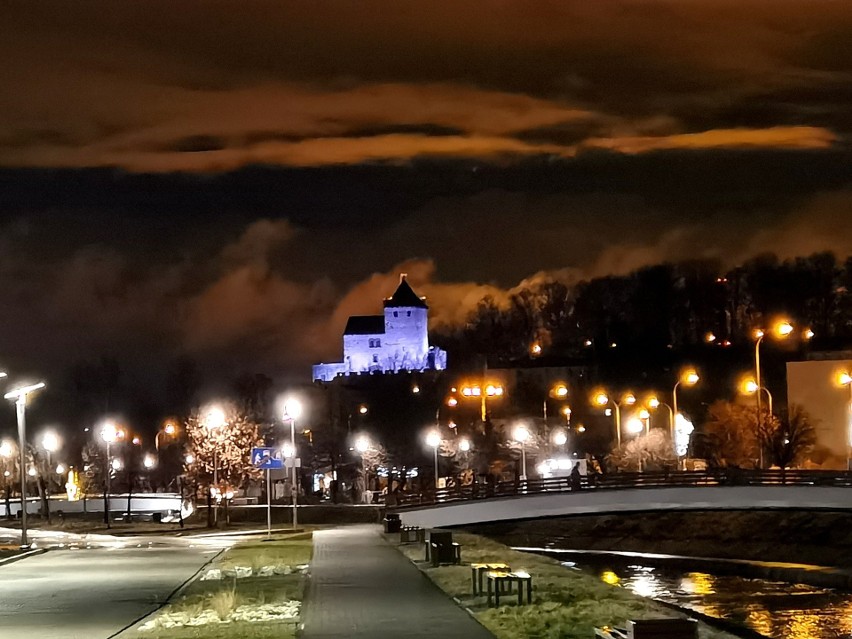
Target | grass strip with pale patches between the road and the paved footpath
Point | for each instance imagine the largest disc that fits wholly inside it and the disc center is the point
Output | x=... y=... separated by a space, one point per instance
x=220 y=600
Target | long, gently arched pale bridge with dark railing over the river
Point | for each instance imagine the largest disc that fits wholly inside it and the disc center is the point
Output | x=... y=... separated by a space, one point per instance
x=634 y=492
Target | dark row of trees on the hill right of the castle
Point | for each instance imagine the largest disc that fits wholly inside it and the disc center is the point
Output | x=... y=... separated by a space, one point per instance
x=673 y=307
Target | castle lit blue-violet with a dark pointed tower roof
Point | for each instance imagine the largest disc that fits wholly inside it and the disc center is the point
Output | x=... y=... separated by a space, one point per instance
x=395 y=341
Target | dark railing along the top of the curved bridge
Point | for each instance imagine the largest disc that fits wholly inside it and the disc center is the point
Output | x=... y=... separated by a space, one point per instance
x=626 y=481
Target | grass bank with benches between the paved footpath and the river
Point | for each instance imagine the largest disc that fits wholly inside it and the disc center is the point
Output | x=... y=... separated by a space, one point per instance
x=567 y=603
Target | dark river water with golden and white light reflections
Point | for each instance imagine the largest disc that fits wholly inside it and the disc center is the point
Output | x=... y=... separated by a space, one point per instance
x=775 y=609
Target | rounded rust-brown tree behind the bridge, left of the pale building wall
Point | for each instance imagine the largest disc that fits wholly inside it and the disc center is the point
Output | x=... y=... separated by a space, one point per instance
x=731 y=436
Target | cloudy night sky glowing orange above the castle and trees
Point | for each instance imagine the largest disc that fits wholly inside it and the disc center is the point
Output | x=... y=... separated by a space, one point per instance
x=230 y=180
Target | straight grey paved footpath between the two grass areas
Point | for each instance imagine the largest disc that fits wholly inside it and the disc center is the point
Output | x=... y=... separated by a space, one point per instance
x=362 y=587
